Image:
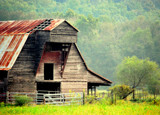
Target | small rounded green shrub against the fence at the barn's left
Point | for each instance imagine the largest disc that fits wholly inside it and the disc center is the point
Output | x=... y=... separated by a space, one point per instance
x=21 y=100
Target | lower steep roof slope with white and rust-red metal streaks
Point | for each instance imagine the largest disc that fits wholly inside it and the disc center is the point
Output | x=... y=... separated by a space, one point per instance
x=10 y=47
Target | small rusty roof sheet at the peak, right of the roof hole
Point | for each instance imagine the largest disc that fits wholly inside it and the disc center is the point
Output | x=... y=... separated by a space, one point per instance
x=54 y=23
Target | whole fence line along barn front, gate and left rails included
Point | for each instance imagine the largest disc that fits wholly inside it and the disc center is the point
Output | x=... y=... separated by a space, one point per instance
x=44 y=97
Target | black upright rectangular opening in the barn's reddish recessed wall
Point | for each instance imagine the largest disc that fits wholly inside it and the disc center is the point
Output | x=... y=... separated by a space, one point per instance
x=48 y=71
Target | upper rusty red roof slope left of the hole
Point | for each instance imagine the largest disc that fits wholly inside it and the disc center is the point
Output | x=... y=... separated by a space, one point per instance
x=18 y=27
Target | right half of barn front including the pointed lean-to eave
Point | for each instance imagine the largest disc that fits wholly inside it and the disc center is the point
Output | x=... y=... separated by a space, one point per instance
x=77 y=71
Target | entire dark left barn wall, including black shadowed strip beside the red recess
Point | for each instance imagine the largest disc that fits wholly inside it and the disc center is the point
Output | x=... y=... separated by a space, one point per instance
x=21 y=77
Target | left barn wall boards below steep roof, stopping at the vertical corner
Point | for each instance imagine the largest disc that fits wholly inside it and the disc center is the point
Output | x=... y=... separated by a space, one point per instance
x=21 y=77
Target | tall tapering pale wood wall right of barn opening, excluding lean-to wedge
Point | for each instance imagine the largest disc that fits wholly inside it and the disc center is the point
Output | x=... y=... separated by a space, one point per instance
x=75 y=73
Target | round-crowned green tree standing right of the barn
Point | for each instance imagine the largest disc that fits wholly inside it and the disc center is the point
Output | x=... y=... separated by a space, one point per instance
x=136 y=72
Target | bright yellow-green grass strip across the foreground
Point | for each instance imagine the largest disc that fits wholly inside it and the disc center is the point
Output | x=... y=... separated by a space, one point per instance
x=124 y=108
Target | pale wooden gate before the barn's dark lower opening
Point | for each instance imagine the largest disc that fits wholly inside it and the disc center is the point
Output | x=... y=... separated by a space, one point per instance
x=64 y=99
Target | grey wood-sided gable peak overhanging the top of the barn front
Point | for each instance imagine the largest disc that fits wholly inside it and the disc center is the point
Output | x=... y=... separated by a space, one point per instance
x=64 y=33
